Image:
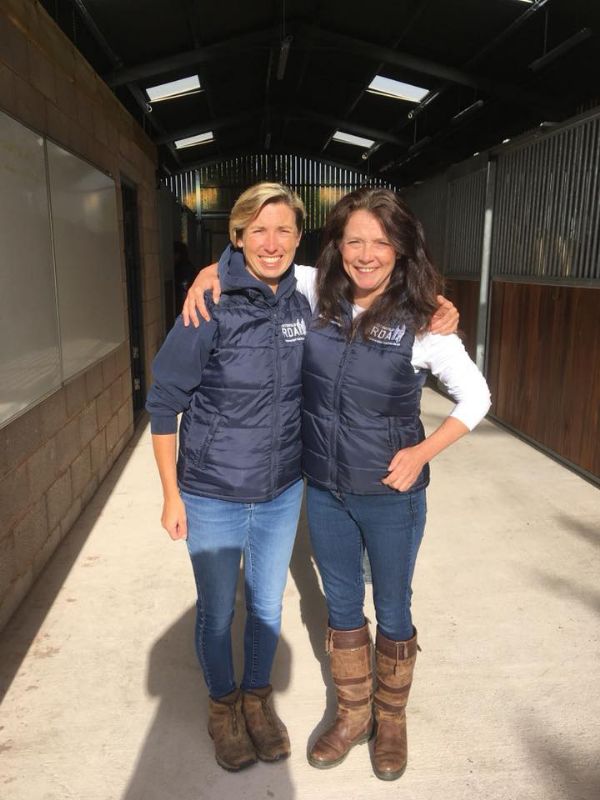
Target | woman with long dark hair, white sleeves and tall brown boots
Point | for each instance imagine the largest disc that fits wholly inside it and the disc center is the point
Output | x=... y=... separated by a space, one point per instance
x=365 y=455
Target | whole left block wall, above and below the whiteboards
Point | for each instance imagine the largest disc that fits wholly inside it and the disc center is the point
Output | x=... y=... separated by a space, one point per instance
x=53 y=457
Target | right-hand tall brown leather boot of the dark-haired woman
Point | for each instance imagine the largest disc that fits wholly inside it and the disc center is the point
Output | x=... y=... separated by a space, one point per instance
x=395 y=662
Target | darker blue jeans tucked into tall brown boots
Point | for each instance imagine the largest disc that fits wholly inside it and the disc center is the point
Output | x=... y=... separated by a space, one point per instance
x=391 y=528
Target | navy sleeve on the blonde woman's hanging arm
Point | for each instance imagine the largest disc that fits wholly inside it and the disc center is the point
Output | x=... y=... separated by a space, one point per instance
x=177 y=371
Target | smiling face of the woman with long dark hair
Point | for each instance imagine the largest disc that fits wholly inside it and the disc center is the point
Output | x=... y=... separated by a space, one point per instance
x=368 y=256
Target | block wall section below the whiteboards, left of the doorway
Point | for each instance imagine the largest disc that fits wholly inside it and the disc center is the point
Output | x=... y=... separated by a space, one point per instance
x=55 y=456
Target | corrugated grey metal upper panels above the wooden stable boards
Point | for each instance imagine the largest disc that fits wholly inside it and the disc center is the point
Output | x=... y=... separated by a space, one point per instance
x=525 y=211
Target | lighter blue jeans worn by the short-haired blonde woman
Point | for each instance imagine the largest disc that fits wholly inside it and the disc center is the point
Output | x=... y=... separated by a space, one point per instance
x=219 y=532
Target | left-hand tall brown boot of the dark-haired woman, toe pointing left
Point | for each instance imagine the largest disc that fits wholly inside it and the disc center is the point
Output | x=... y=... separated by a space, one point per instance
x=350 y=654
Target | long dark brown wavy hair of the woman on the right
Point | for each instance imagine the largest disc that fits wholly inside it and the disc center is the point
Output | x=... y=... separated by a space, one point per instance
x=410 y=296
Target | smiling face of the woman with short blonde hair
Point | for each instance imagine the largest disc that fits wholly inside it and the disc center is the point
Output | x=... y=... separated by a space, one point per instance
x=269 y=242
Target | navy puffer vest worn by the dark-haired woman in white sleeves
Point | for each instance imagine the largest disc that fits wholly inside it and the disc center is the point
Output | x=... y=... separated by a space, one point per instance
x=361 y=404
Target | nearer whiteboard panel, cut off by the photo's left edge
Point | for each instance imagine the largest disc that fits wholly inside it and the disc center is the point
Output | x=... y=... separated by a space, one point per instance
x=29 y=341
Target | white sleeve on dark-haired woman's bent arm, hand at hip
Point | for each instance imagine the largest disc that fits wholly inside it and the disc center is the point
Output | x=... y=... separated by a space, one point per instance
x=447 y=359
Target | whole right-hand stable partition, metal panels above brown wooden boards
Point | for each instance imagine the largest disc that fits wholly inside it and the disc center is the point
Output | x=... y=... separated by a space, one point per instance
x=524 y=229
